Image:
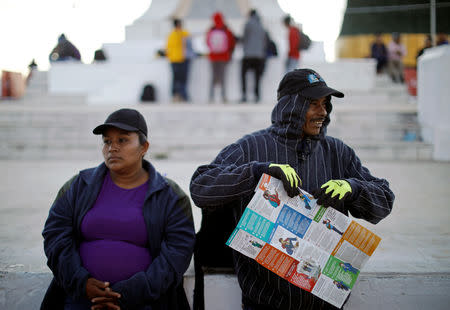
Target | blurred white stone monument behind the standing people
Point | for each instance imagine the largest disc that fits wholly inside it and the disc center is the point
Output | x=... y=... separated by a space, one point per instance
x=134 y=62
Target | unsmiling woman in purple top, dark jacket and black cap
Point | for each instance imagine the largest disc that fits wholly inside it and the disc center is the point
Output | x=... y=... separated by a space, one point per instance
x=119 y=236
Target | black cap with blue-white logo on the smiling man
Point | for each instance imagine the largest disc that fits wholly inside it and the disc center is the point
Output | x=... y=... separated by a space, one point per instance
x=306 y=82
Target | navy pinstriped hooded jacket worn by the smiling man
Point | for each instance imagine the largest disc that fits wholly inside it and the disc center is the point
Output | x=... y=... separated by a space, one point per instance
x=230 y=179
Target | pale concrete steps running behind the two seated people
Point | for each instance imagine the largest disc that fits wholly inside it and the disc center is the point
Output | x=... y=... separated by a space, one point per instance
x=179 y=131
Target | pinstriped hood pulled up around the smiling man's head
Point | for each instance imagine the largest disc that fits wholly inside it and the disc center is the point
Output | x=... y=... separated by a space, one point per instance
x=288 y=117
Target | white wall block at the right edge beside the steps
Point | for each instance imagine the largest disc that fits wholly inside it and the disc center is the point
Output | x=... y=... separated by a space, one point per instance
x=433 y=96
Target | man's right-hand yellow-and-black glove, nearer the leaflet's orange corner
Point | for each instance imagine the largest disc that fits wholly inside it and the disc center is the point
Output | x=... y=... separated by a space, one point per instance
x=333 y=193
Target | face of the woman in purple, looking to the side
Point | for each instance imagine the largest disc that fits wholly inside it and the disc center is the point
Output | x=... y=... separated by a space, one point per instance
x=122 y=151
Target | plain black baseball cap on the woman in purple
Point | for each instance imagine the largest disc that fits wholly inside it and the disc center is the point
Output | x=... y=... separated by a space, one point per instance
x=126 y=119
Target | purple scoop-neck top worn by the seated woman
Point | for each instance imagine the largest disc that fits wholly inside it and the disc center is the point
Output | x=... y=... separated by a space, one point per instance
x=115 y=241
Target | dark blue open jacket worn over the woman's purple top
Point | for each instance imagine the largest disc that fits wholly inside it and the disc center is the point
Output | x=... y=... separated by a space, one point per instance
x=168 y=217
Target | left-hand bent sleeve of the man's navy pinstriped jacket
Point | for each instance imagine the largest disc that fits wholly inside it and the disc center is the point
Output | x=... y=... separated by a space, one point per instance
x=226 y=179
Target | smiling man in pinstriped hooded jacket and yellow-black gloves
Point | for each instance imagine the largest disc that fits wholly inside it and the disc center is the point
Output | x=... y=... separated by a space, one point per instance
x=297 y=150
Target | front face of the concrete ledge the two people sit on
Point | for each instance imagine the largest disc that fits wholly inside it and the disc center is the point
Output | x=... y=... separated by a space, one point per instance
x=413 y=291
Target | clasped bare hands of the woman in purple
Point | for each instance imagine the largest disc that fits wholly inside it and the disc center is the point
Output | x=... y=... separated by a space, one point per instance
x=101 y=295
